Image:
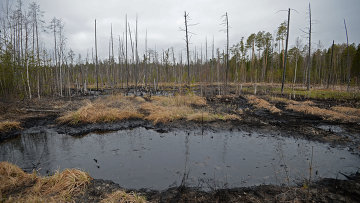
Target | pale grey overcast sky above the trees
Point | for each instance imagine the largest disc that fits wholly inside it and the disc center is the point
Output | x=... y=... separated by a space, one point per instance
x=162 y=19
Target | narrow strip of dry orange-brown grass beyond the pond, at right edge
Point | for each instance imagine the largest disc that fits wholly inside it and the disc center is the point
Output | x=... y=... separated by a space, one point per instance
x=323 y=113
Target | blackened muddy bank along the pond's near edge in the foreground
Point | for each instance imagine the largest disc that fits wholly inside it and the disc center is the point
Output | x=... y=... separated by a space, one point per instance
x=325 y=190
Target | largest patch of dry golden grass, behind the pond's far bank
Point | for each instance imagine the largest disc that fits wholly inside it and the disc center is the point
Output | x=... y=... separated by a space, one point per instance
x=159 y=109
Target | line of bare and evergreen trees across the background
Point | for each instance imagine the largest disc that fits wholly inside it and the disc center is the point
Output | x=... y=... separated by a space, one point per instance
x=30 y=69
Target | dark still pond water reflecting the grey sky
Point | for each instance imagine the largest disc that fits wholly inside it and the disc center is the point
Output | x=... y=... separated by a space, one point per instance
x=141 y=158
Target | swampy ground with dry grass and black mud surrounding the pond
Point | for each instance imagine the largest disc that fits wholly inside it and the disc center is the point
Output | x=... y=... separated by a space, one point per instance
x=324 y=116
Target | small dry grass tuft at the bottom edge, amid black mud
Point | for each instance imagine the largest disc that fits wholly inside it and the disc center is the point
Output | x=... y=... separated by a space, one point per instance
x=123 y=197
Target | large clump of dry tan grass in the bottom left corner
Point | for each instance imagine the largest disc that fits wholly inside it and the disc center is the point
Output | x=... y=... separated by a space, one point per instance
x=60 y=187
